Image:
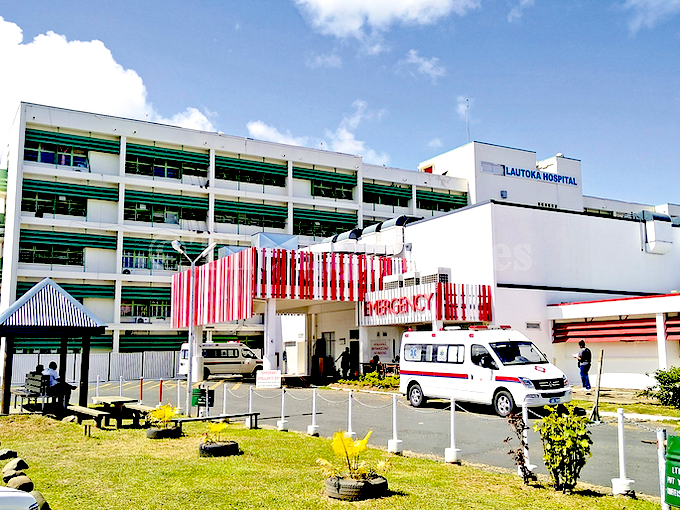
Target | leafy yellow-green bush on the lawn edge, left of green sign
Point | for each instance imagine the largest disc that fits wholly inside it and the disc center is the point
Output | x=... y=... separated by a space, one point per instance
x=566 y=445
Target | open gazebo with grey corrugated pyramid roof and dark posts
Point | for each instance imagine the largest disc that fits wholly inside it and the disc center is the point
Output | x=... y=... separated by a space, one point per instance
x=48 y=311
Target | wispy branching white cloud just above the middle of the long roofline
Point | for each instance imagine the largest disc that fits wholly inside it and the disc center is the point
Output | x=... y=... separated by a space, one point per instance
x=342 y=139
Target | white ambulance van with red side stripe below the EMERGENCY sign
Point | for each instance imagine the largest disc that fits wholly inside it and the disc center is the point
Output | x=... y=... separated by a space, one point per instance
x=487 y=366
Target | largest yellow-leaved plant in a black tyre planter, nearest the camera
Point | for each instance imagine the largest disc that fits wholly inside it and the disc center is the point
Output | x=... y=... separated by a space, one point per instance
x=354 y=480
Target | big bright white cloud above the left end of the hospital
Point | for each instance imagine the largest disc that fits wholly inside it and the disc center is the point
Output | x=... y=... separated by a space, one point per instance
x=103 y=86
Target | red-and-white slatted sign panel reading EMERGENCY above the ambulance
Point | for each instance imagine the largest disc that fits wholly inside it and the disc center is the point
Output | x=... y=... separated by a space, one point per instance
x=450 y=302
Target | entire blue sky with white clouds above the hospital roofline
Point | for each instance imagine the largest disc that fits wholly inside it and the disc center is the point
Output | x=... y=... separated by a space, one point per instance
x=597 y=81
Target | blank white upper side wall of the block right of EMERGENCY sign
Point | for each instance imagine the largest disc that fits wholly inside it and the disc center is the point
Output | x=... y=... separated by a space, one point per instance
x=569 y=250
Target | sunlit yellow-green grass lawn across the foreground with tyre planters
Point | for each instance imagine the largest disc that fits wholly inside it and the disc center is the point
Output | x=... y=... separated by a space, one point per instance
x=123 y=470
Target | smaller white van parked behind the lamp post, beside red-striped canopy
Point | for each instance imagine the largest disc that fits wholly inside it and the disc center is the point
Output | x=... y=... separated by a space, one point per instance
x=223 y=359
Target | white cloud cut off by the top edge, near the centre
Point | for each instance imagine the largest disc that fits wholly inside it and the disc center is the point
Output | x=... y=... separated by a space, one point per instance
x=367 y=20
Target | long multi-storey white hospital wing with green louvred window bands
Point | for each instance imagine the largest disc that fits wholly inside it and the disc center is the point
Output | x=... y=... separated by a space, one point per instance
x=94 y=202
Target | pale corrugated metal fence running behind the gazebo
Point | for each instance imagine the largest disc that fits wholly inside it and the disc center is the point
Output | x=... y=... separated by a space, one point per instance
x=108 y=366
